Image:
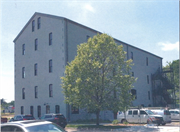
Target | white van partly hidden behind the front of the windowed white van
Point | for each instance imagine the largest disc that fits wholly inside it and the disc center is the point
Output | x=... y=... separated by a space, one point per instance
x=164 y=113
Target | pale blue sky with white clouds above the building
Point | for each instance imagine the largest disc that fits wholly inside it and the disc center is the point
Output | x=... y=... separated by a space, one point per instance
x=151 y=25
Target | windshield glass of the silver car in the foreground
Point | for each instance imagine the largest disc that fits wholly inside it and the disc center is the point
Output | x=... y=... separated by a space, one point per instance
x=45 y=128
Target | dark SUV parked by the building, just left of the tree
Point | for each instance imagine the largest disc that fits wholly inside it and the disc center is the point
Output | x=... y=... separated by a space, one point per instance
x=56 y=118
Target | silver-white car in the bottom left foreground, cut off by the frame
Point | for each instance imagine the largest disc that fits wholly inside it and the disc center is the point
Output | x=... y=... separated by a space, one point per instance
x=31 y=126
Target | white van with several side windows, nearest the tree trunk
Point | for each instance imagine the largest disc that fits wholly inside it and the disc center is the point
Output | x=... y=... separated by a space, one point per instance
x=139 y=116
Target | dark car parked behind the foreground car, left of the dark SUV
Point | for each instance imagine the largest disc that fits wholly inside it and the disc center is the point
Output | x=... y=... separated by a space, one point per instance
x=21 y=117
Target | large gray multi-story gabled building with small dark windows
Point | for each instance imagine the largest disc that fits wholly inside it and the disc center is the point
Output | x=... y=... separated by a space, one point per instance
x=43 y=48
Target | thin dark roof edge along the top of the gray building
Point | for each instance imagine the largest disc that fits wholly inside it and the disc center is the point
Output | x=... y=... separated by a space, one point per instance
x=58 y=17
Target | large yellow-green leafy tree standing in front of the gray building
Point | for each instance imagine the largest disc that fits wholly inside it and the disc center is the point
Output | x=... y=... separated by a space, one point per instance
x=98 y=76
